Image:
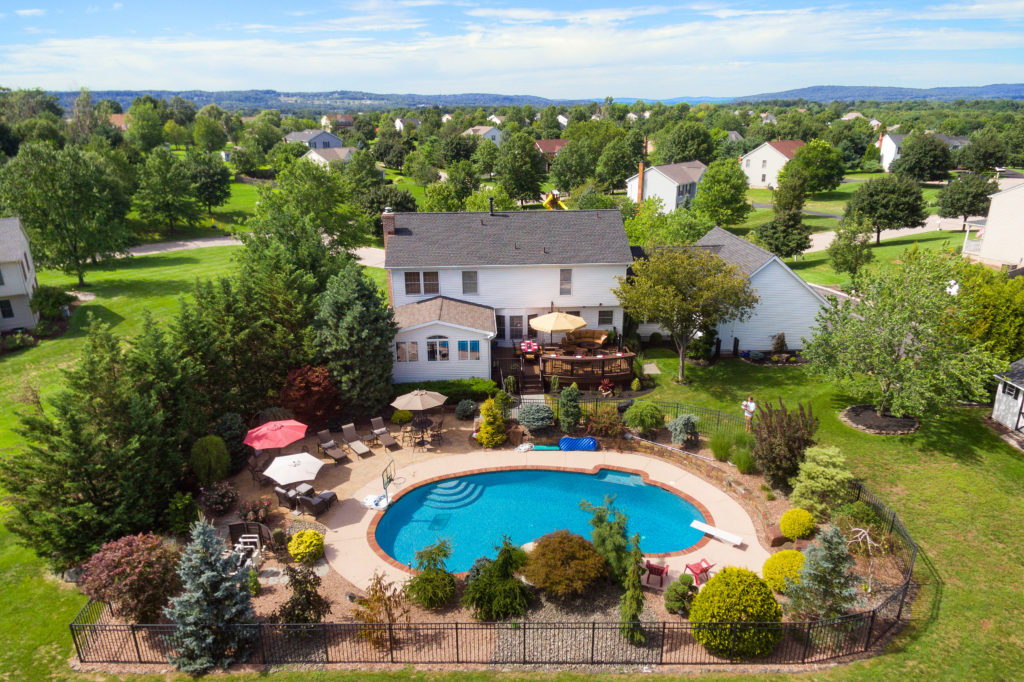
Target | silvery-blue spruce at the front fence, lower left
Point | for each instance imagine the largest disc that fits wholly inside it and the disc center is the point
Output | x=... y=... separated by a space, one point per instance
x=215 y=603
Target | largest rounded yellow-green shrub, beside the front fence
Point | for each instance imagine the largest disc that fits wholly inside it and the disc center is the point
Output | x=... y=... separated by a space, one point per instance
x=736 y=595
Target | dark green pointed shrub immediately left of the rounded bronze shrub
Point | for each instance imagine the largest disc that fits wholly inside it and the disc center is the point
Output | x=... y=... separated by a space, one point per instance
x=497 y=594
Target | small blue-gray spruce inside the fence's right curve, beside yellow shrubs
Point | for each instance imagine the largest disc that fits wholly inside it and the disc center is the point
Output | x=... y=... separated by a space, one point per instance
x=828 y=587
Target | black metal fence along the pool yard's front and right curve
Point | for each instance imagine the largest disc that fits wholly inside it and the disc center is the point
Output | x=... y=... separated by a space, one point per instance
x=99 y=641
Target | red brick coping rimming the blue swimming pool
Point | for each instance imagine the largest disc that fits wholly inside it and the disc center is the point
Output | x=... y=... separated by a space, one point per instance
x=379 y=551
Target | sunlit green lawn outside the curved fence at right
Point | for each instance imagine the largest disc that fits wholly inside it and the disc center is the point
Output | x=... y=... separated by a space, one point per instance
x=960 y=491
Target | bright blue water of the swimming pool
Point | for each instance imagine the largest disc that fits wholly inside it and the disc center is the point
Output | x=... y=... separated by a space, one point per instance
x=475 y=511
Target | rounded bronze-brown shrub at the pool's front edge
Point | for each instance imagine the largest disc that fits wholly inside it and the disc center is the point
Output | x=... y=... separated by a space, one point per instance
x=565 y=565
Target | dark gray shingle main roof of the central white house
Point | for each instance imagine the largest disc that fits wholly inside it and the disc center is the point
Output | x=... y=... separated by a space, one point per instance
x=514 y=238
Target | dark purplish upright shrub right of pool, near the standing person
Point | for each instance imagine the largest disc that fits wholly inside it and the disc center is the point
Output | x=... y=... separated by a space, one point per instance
x=781 y=438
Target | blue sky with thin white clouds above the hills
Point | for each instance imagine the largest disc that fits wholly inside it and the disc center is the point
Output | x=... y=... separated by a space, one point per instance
x=559 y=51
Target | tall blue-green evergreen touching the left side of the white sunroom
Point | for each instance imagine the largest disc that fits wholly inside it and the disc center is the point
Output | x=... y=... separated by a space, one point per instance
x=355 y=334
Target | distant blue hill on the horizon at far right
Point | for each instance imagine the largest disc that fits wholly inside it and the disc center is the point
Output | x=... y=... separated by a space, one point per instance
x=827 y=94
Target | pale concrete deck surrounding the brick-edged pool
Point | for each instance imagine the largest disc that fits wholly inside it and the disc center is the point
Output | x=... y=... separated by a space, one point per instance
x=351 y=555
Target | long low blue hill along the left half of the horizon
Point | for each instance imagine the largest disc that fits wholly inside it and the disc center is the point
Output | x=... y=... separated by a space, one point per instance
x=338 y=101
